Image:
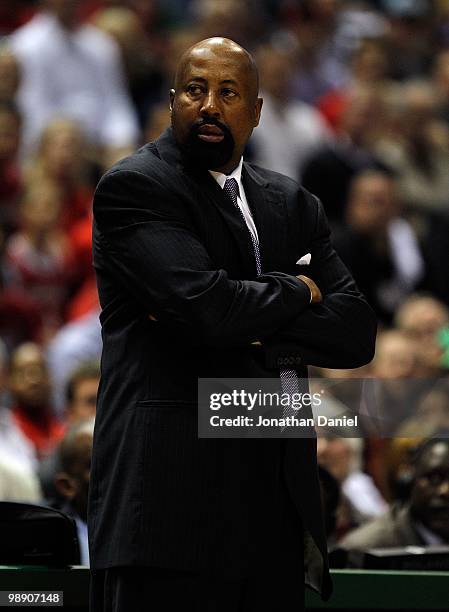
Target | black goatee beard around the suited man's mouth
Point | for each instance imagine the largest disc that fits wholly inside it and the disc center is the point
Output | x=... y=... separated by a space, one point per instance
x=208 y=155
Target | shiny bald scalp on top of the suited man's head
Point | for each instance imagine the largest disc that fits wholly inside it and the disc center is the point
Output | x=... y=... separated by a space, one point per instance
x=222 y=48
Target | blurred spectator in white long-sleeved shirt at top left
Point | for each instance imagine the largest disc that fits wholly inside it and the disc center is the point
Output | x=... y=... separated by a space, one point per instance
x=73 y=69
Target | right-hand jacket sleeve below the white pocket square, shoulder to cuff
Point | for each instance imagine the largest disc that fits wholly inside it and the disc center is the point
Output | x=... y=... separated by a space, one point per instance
x=340 y=331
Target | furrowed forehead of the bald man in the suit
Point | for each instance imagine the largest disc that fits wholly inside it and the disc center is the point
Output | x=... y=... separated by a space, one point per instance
x=208 y=65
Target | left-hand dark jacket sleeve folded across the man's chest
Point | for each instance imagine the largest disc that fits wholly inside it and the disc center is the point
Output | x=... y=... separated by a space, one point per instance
x=150 y=248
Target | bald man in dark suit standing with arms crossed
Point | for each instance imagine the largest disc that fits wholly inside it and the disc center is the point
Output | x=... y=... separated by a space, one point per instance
x=195 y=253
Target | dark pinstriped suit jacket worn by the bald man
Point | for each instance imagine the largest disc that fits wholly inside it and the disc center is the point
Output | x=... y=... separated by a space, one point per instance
x=168 y=242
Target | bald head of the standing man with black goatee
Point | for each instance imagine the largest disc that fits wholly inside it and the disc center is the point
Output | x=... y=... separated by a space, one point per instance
x=215 y=104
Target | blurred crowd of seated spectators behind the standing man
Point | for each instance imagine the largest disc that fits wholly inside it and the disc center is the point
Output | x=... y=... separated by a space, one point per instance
x=356 y=108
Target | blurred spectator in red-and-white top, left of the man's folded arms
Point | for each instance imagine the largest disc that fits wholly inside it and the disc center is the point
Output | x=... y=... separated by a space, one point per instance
x=37 y=259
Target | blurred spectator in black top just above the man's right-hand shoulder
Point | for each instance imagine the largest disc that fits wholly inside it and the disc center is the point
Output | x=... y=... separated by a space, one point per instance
x=328 y=173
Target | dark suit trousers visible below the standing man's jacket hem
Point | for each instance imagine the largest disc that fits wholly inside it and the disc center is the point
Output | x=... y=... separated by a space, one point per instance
x=129 y=589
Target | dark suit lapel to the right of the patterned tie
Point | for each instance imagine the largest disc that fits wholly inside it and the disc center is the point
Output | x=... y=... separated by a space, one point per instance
x=268 y=207
